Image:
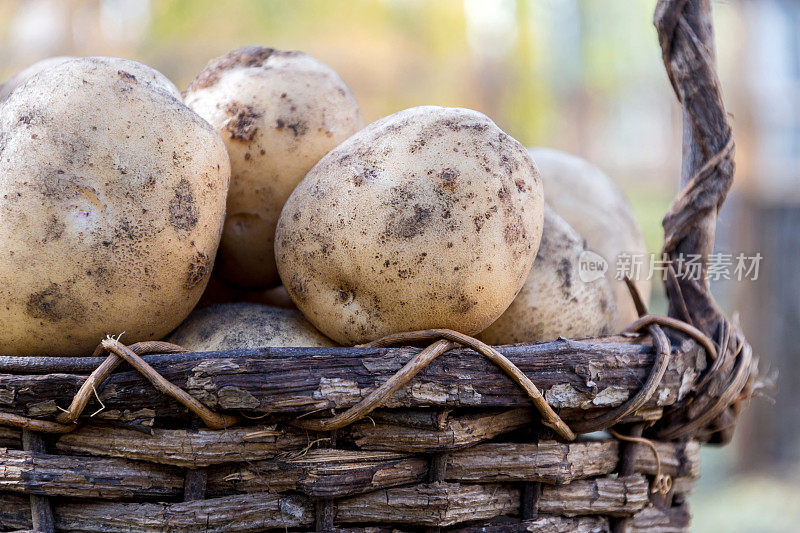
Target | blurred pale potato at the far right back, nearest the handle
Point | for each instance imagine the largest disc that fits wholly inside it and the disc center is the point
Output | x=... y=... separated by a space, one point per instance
x=597 y=209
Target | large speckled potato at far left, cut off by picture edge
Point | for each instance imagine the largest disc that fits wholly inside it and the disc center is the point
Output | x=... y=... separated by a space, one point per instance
x=112 y=199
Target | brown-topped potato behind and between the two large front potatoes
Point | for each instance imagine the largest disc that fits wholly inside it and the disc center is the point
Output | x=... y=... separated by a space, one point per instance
x=279 y=113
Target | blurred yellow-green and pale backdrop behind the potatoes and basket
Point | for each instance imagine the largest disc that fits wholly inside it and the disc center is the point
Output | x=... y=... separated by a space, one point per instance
x=584 y=76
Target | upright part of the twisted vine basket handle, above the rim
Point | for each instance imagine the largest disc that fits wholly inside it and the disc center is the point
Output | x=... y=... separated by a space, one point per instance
x=686 y=36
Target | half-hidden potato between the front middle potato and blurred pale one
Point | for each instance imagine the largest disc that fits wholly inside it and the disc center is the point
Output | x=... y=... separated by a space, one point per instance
x=556 y=300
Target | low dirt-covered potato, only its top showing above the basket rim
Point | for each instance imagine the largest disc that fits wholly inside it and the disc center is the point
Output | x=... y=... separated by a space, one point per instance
x=245 y=325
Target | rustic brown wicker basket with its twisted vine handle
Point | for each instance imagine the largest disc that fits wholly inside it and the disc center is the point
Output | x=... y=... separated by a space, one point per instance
x=453 y=435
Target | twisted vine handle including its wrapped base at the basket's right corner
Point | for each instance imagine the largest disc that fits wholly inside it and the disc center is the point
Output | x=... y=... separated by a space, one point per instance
x=686 y=35
